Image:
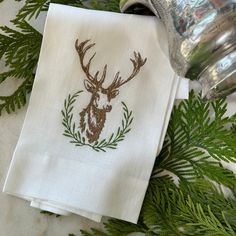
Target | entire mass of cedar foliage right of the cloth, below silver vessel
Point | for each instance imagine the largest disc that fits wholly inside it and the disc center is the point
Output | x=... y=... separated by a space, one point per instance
x=196 y=206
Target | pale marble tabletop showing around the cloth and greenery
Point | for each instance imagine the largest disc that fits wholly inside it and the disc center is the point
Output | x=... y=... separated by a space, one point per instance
x=17 y=218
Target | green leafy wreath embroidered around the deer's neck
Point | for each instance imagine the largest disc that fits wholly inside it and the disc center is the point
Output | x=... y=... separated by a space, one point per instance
x=72 y=131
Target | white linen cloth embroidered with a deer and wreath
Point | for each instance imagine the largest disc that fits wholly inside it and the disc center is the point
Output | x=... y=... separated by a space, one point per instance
x=126 y=113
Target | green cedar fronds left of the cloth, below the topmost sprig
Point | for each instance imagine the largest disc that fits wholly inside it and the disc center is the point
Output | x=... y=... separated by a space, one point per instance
x=20 y=50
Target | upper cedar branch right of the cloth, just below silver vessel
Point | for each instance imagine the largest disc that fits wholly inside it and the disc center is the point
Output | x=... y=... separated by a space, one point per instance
x=194 y=138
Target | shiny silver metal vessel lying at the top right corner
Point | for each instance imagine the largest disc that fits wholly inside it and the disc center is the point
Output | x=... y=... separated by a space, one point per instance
x=201 y=38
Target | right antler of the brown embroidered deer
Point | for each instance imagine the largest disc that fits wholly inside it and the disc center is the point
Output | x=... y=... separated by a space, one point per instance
x=137 y=62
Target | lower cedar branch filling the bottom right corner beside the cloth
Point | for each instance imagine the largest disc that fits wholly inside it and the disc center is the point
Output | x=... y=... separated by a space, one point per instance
x=187 y=210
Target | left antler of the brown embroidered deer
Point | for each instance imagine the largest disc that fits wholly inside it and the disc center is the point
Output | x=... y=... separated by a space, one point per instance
x=82 y=49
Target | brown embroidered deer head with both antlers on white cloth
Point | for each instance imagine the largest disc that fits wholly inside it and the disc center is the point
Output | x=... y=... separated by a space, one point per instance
x=93 y=117
